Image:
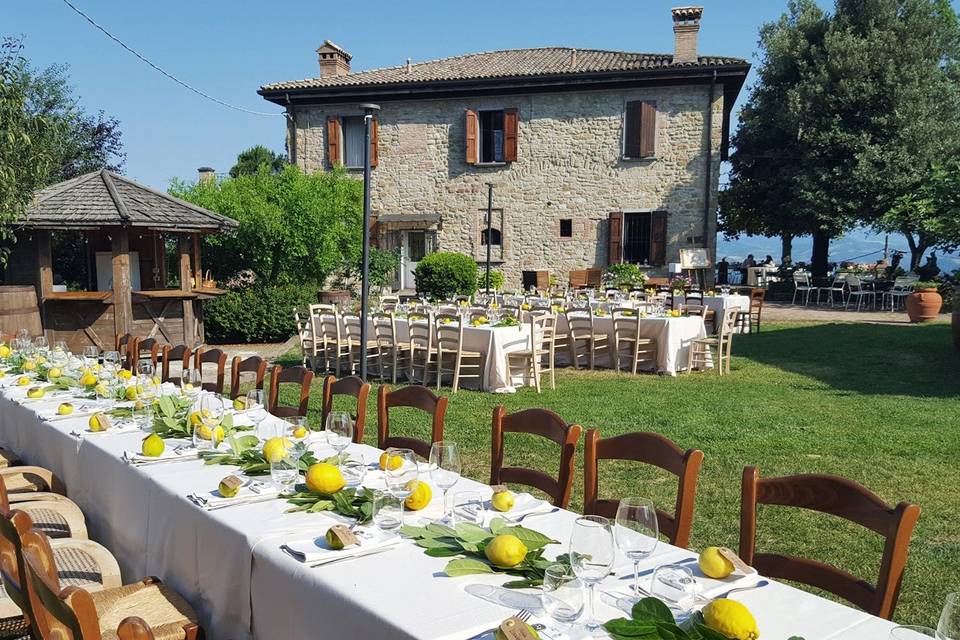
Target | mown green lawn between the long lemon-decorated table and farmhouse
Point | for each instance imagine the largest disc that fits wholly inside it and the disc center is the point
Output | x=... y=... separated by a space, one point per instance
x=878 y=404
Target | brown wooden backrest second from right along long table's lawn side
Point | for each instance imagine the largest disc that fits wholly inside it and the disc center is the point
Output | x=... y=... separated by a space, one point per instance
x=652 y=449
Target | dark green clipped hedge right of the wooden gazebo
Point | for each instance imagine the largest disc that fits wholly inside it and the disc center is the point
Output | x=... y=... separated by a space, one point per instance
x=255 y=314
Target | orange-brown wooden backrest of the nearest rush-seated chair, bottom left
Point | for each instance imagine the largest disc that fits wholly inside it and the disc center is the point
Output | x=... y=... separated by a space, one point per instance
x=61 y=614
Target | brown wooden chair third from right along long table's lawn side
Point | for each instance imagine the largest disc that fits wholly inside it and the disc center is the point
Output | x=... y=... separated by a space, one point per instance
x=546 y=424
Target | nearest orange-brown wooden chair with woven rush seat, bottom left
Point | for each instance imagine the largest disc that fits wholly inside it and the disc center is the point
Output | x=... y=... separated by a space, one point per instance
x=71 y=612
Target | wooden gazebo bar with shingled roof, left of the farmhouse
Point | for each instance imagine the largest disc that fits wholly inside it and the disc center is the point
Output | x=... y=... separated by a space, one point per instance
x=127 y=227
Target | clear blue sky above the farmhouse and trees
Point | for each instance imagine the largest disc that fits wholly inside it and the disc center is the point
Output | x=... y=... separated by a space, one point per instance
x=228 y=48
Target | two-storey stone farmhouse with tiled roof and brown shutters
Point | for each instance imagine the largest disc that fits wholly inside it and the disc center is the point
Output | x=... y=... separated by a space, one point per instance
x=597 y=156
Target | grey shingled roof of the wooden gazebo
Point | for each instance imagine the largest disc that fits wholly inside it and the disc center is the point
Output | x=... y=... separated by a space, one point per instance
x=104 y=199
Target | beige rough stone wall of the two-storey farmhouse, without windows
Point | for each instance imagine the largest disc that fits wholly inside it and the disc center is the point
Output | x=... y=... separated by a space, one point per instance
x=569 y=166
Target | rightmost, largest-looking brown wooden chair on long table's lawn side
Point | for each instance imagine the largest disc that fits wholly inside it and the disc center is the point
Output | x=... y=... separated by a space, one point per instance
x=845 y=499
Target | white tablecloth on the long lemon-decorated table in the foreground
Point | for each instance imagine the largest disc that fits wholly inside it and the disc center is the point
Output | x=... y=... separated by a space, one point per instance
x=228 y=564
